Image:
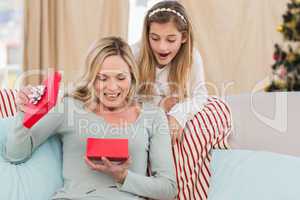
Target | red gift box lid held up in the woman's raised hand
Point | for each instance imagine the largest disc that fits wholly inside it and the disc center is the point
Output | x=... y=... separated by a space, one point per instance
x=34 y=112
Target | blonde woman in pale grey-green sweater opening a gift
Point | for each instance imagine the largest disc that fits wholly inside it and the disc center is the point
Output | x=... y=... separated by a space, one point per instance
x=102 y=107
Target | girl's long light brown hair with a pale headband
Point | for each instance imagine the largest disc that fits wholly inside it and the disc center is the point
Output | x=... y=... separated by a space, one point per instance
x=181 y=63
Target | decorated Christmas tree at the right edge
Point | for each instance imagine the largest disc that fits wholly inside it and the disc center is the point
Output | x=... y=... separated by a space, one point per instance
x=286 y=69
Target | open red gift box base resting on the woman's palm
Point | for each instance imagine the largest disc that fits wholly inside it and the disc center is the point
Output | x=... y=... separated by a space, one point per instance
x=112 y=149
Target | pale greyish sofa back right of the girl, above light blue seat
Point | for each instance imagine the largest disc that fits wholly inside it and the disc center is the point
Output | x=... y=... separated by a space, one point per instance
x=266 y=121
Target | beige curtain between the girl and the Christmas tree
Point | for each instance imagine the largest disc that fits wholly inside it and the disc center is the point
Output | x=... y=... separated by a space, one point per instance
x=236 y=40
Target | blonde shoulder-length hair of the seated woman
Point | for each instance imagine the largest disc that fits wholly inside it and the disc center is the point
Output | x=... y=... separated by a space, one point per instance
x=99 y=51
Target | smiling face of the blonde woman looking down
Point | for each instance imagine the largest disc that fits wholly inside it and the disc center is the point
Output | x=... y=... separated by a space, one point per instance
x=113 y=82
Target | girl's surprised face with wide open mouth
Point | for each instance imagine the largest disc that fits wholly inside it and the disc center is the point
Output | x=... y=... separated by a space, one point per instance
x=165 y=41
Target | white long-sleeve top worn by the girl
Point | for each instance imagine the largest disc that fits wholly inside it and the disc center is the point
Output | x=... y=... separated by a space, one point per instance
x=185 y=110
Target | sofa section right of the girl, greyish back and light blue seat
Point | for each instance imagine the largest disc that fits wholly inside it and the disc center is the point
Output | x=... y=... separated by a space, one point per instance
x=263 y=162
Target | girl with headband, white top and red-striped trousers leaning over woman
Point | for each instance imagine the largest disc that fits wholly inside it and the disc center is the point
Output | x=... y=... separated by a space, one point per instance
x=171 y=73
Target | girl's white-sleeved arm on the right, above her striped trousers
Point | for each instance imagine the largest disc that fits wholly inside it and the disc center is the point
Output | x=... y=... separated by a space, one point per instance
x=184 y=111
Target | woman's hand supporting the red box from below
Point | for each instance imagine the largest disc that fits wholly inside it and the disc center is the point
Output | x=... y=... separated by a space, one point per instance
x=117 y=171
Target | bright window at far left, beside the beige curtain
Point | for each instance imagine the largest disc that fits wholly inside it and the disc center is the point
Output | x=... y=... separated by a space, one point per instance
x=11 y=29
